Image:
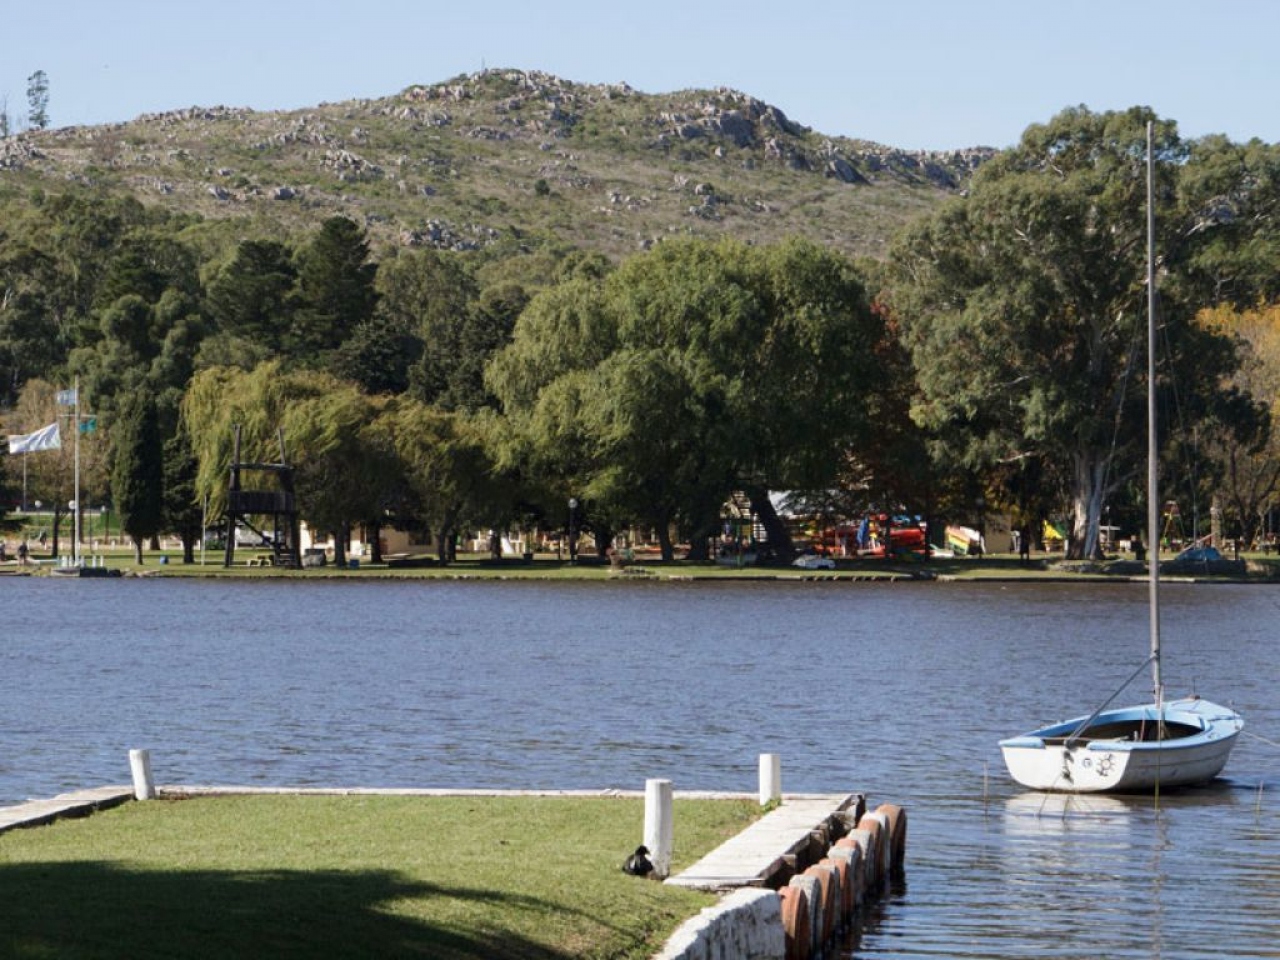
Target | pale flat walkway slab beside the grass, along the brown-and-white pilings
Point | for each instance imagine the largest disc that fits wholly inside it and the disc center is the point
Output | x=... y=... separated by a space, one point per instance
x=756 y=854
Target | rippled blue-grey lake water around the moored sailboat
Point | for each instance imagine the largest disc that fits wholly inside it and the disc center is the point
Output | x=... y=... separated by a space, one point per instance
x=899 y=691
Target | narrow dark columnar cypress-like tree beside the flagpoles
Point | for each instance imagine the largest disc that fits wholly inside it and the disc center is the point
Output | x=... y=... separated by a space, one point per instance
x=138 y=470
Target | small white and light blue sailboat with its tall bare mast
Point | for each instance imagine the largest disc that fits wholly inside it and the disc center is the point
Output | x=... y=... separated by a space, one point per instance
x=1145 y=748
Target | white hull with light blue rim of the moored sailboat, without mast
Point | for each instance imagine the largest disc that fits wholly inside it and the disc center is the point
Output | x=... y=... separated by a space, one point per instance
x=1101 y=761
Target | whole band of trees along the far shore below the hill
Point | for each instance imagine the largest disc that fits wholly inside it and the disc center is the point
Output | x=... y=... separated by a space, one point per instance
x=989 y=363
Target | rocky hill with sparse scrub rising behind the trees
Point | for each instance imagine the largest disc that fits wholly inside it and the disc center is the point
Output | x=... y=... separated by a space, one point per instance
x=510 y=153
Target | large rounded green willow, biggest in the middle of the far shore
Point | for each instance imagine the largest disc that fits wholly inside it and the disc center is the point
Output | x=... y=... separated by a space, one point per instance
x=762 y=358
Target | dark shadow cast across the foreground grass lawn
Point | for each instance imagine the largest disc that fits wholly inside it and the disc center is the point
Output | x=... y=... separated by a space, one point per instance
x=97 y=911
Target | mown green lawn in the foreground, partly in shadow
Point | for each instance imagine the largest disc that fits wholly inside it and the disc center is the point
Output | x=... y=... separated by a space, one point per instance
x=351 y=877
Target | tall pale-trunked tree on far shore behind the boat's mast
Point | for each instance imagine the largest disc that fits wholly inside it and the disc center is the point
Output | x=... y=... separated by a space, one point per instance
x=1025 y=307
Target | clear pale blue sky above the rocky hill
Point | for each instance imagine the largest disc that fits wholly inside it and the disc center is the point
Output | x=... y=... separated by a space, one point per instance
x=926 y=75
